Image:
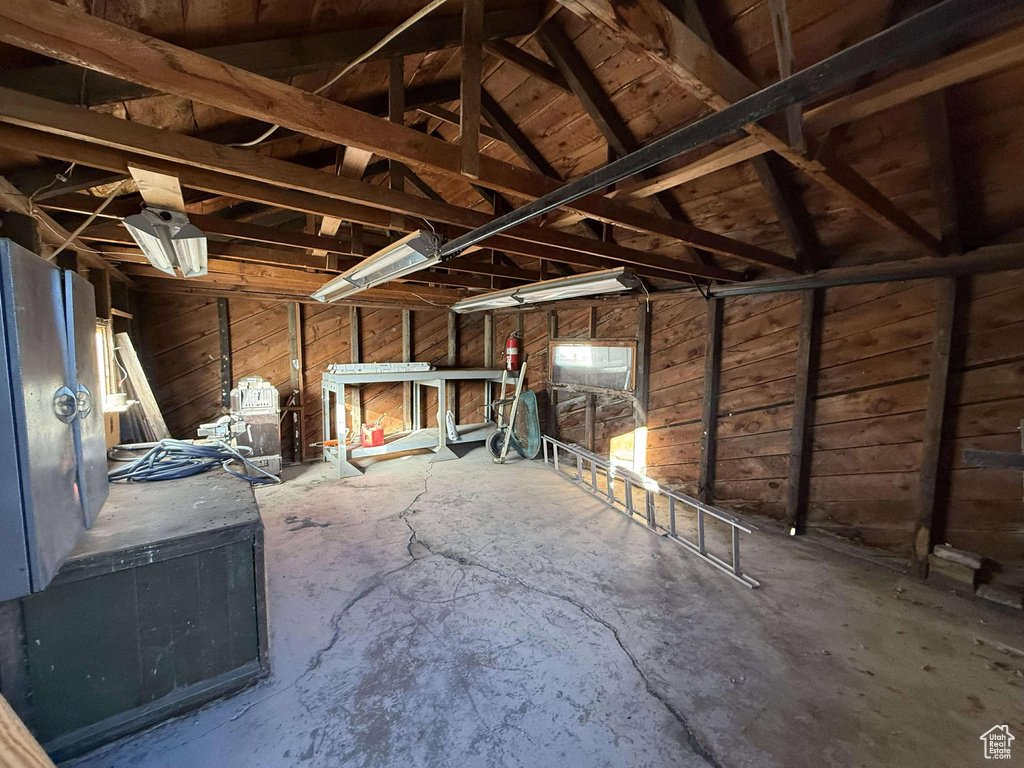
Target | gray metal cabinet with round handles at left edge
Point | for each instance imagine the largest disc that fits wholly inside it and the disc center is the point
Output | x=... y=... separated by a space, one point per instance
x=48 y=495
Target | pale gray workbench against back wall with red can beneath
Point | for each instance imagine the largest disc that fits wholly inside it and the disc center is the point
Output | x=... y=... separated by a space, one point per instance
x=333 y=394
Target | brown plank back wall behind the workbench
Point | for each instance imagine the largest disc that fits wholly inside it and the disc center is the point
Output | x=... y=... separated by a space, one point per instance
x=181 y=350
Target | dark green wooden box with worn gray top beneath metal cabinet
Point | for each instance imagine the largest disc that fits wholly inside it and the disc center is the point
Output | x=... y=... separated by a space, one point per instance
x=160 y=610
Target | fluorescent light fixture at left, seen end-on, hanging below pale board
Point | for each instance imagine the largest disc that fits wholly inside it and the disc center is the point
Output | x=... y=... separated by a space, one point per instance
x=168 y=240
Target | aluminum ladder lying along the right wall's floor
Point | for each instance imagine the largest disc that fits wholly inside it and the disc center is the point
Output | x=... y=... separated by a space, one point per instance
x=631 y=481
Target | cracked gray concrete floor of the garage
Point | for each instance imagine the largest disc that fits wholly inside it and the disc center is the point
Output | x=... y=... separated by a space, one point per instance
x=465 y=615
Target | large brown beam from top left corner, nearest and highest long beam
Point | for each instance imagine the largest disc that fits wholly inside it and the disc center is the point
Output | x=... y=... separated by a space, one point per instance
x=76 y=37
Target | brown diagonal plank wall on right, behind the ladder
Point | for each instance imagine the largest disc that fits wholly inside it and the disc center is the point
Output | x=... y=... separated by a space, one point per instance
x=868 y=416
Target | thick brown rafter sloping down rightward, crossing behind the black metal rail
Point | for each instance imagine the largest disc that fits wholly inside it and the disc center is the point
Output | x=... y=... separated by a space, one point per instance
x=704 y=73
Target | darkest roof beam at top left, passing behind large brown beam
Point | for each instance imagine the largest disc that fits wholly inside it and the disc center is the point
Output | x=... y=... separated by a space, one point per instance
x=283 y=58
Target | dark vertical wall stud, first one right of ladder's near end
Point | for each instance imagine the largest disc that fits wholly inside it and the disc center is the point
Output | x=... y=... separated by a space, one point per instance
x=803 y=412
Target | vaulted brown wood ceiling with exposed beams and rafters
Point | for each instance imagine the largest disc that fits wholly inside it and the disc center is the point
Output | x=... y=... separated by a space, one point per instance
x=564 y=90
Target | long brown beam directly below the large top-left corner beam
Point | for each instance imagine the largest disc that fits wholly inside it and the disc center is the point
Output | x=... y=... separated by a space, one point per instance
x=287 y=186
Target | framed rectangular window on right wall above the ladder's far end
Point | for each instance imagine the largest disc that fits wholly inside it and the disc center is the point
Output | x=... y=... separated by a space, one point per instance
x=599 y=365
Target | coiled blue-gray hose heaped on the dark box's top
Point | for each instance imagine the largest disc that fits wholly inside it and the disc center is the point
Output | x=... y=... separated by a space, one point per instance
x=170 y=460
